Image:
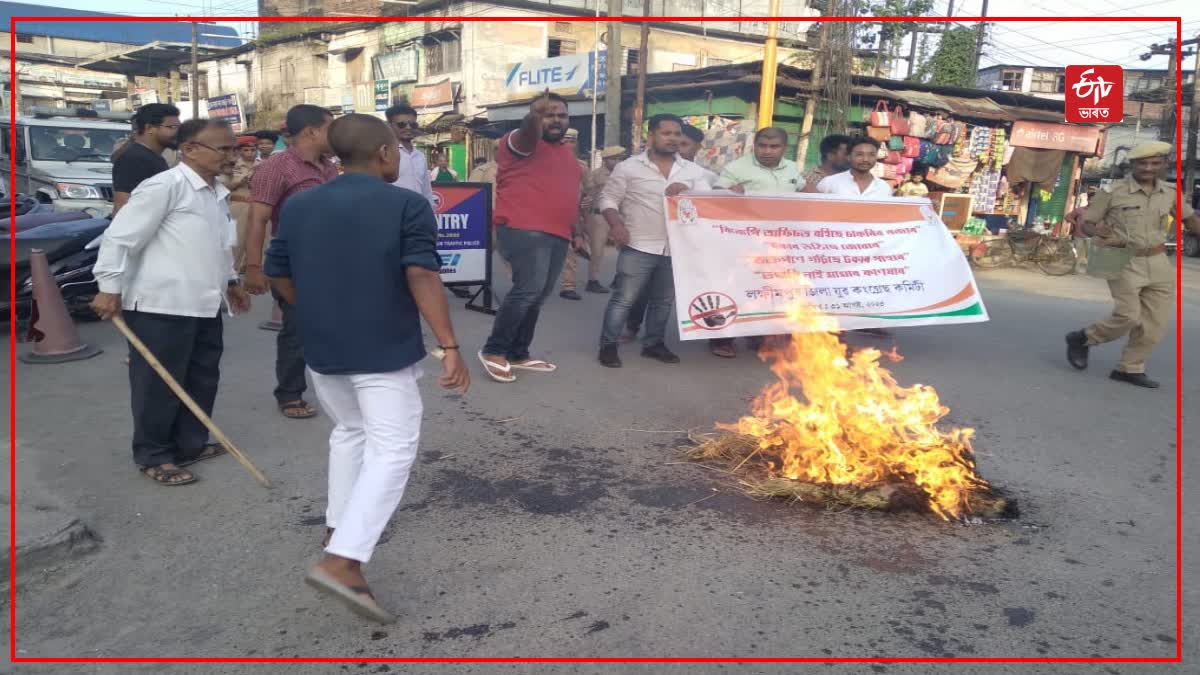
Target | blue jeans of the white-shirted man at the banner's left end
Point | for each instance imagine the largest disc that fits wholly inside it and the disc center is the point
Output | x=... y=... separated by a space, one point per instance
x=640 y=274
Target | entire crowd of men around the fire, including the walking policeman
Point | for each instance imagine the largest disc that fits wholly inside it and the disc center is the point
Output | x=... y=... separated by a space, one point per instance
x=349 y=206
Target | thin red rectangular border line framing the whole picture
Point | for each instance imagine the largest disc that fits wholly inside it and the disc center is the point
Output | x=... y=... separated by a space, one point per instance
x=1179 y=372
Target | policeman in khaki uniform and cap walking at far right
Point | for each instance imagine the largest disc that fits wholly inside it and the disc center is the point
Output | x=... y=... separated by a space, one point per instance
x=1129 y=223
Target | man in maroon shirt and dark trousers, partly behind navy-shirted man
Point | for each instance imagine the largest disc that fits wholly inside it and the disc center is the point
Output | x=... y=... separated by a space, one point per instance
x=305 y=165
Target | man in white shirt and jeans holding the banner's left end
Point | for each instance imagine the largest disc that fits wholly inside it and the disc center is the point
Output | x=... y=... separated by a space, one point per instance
x=632 y=202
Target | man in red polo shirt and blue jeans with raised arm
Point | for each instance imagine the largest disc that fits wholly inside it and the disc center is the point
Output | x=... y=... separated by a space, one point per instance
x=538 y=218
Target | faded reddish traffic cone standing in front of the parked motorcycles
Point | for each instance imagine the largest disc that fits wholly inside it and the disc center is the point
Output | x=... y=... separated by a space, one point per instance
x=55 y=336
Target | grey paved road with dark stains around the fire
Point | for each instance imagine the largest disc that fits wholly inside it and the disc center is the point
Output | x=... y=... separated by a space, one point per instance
x=557 y=518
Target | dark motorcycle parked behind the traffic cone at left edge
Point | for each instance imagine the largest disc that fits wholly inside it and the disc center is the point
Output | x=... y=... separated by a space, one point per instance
x=71 y=248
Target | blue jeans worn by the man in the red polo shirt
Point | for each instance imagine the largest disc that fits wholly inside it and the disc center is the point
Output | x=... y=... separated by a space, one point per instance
x=537 y=261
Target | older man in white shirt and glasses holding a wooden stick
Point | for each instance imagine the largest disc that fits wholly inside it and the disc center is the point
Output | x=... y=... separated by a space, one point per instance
x=166 y=265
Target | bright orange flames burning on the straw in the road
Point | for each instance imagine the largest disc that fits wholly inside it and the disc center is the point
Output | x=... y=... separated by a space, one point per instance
x=849 y=423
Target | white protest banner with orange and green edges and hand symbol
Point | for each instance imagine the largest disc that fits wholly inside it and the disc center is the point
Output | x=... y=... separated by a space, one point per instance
x=741 y=262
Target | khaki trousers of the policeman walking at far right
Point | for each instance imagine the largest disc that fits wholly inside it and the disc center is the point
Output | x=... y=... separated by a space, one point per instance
x=1144 y=300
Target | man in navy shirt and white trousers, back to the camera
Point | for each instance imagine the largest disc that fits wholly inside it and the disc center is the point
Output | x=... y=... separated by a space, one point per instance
x=358 y=260
